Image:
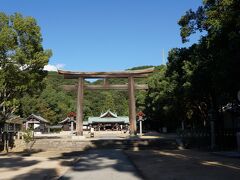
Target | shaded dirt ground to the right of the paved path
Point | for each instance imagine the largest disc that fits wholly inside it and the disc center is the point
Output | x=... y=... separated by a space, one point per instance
x=184 y=165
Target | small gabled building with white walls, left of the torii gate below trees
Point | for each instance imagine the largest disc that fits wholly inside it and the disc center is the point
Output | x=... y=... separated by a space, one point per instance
x=37 y=123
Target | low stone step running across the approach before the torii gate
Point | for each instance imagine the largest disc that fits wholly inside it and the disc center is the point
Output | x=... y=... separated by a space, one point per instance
x=50 y=144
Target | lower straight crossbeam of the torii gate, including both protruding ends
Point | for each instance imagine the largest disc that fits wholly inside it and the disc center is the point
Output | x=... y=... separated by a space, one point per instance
x=106 y=87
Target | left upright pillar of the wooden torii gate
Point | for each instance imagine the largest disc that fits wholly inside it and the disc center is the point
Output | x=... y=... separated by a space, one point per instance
x=79 y=121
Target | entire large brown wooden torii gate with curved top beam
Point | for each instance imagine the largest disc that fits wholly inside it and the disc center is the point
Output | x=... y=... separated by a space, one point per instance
x=130 y=86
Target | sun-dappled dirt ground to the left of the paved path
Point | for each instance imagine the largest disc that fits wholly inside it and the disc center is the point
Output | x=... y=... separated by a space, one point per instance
x=41 y=165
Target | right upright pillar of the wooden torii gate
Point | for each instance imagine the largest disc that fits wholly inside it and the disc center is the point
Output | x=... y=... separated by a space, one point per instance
x=132 y=105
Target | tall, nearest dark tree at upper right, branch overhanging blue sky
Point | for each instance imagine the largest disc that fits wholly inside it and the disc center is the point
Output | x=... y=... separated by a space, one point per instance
x=220 y=46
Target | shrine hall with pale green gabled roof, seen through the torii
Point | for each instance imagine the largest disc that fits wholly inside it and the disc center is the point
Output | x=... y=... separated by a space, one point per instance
x=109 y=121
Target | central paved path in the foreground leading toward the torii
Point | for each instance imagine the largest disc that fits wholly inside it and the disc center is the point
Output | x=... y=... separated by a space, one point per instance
x=103 y=164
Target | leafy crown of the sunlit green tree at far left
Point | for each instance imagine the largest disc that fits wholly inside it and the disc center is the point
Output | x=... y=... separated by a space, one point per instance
x=22 y=59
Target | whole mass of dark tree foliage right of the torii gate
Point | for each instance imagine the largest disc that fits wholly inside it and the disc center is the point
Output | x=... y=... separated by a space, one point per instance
x=205 y=76
